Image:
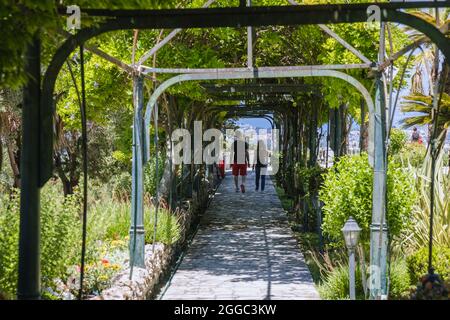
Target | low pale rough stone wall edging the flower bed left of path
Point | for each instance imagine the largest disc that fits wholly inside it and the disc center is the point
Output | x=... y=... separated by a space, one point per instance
x=145 y=280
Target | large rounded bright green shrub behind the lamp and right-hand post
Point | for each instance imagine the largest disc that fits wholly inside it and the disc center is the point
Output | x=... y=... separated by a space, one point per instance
x=347 y=191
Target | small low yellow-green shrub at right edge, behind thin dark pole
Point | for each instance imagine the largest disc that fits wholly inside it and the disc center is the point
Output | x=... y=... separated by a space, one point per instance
x=418 y=263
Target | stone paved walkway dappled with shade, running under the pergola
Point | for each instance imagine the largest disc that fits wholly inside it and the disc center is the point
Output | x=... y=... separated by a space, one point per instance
x=244 y=249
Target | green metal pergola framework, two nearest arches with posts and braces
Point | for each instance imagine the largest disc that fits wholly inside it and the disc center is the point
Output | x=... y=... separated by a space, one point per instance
x=39 y=103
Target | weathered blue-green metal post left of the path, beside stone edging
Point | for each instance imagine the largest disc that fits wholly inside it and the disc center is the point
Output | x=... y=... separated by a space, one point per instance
x=137 y=236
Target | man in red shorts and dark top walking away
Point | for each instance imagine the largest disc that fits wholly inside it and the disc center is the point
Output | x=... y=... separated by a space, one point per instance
x=240 y=158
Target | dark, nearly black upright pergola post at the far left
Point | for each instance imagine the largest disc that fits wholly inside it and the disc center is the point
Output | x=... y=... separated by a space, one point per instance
x=29 y=237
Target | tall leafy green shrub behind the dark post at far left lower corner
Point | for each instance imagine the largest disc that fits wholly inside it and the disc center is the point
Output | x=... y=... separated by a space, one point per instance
x=59 y=237
